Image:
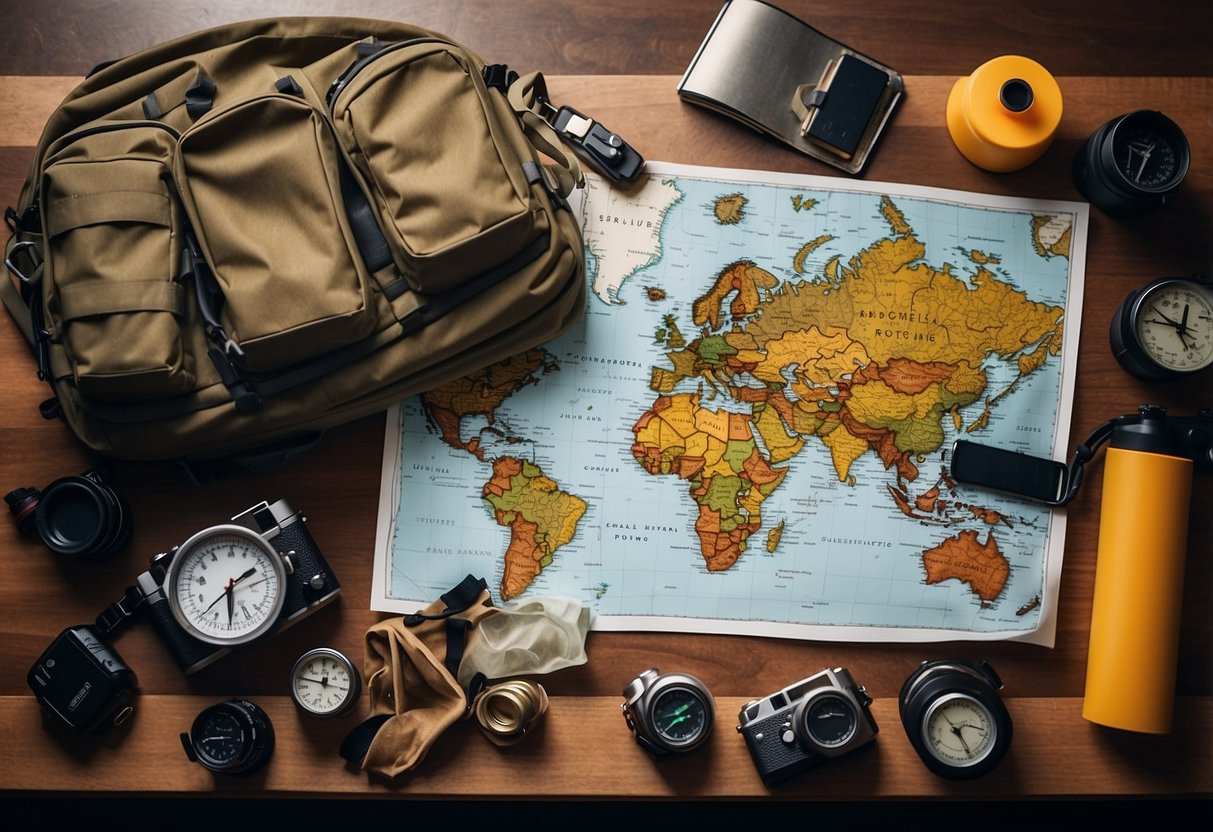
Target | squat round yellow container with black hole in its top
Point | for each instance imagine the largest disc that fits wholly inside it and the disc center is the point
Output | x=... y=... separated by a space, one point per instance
x=1005 y=116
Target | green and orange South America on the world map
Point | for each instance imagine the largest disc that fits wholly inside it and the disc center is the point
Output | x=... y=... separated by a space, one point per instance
x=542 y=518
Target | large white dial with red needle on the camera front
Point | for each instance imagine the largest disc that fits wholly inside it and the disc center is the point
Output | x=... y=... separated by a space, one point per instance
x=226 y=585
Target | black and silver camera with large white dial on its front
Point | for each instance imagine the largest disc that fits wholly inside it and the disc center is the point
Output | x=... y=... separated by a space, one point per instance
x=234 y=584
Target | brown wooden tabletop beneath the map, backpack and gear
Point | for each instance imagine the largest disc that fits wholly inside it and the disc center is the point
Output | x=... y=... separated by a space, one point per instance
x=584 y=750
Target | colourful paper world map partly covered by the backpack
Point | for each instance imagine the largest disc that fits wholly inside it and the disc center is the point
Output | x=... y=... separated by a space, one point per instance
x=753 y=424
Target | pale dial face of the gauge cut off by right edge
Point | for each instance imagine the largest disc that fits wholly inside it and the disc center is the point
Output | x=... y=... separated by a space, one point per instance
x=1174 y=323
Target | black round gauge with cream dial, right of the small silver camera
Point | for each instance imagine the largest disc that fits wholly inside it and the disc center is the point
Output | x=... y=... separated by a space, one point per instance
x=953 y=715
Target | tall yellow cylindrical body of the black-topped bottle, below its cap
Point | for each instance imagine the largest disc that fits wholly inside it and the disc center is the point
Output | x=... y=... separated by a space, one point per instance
x=1140 y=588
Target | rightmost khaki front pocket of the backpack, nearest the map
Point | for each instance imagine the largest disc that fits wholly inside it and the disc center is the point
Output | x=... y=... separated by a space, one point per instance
x=423 y=132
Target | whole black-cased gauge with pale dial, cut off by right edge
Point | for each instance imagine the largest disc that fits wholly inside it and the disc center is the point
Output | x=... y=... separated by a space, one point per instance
x=1165 y=330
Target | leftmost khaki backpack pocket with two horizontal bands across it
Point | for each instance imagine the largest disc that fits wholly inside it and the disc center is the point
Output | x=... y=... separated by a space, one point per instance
x=113 y=252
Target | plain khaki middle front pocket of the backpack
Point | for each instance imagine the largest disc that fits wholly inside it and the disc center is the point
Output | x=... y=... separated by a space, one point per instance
x=261 y=184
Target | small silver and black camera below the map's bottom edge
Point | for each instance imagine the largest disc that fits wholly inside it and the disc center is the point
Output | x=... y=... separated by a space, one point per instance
x=824 y=716
